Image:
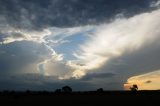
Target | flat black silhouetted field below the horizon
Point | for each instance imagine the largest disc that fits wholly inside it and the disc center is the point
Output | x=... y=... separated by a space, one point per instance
x=79 y=98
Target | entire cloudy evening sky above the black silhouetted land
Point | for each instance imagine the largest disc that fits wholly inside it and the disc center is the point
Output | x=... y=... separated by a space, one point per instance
x=85 y=44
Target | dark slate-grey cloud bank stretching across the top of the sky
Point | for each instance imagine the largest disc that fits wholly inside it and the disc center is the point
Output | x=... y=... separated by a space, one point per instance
x=36 y=14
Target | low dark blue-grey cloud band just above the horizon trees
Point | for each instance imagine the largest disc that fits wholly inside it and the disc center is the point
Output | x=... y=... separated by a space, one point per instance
x=51 y=83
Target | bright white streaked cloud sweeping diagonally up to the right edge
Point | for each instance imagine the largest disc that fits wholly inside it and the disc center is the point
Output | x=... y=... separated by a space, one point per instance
x=114 y=39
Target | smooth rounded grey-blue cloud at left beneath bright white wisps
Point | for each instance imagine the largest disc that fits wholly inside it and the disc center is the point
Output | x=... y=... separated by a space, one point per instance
x=21 y=57
